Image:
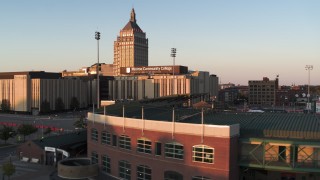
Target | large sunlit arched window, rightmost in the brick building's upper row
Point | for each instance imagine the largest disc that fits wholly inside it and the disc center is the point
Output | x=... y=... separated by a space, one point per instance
x=202 y=153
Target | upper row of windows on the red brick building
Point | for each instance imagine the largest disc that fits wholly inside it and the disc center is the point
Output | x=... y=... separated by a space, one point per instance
x=200 y=153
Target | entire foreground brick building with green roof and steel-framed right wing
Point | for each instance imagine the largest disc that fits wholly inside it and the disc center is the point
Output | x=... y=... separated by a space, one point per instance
x=149 y=141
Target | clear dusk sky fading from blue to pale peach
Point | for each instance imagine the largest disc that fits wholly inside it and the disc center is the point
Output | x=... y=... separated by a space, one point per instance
x=237 y=40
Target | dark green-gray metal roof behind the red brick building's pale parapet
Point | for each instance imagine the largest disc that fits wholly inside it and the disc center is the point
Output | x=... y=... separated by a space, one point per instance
x=252 y=125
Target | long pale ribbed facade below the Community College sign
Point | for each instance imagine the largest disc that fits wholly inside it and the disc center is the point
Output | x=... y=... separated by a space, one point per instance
x=159 y=85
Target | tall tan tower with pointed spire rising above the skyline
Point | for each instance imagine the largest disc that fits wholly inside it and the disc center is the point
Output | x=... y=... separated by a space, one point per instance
x=131 y=47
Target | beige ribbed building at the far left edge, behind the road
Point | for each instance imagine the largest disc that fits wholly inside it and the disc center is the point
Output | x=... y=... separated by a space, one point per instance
x=26 y=91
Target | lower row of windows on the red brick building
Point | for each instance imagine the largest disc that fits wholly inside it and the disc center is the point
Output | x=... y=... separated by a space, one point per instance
x=142 y=172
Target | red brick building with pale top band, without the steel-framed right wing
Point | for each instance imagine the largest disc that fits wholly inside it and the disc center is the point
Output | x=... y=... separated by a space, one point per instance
x=160 y=147
